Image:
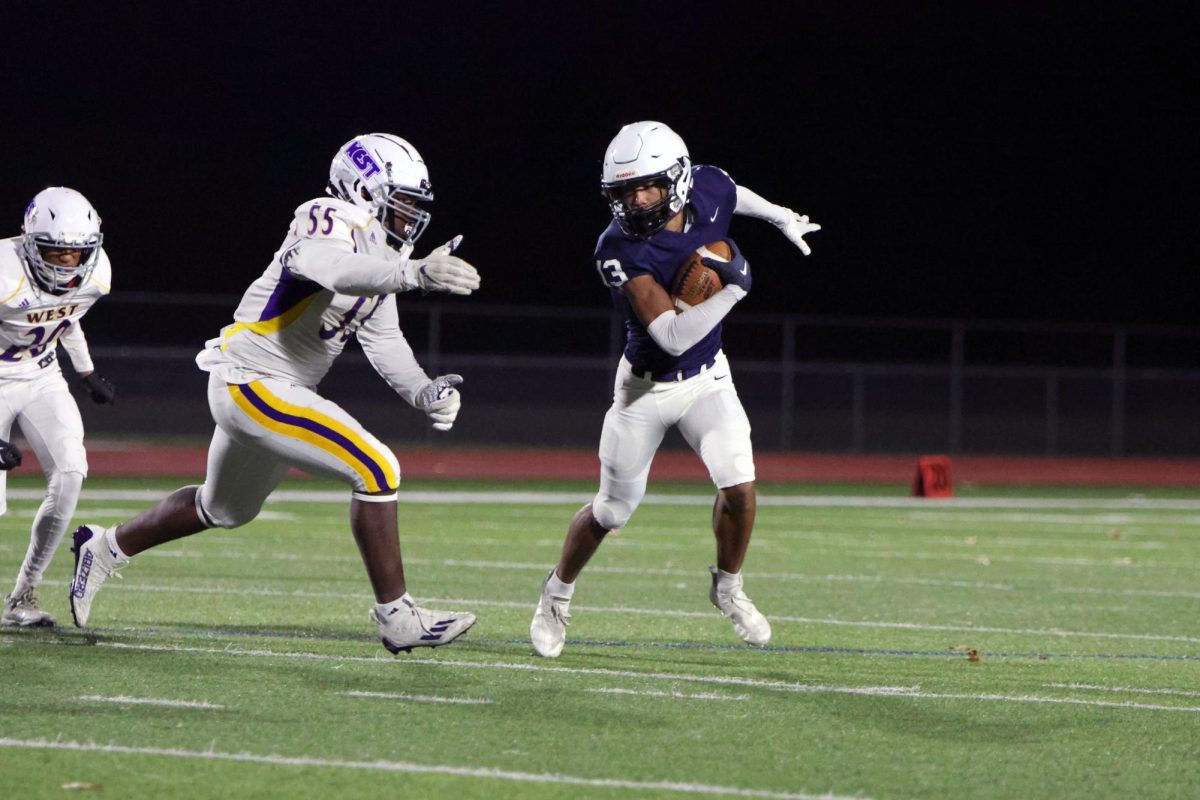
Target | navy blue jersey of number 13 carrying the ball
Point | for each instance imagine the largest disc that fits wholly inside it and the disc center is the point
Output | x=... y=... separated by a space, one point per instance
x=620 y=258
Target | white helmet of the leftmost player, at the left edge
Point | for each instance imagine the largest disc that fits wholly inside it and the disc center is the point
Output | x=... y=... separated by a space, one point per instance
x=61 y=219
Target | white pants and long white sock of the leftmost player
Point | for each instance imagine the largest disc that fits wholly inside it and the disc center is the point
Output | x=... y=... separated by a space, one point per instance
x=51 y=424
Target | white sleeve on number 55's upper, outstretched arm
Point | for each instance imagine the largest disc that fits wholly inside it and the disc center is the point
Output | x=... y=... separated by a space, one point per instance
x=335 y=266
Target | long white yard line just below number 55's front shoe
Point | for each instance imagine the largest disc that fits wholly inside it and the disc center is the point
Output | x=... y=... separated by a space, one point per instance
x=908 y=693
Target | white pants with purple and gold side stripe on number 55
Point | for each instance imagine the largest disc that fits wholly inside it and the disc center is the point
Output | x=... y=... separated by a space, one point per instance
x=267 y=426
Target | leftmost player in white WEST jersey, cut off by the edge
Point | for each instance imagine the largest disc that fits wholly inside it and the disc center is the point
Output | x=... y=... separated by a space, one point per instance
x=50 y=278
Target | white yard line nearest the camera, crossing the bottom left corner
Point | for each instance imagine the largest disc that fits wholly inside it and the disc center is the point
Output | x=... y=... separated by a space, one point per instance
x=428 y=769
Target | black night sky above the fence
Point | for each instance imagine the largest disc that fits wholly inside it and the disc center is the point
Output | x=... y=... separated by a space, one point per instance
x=975 y=160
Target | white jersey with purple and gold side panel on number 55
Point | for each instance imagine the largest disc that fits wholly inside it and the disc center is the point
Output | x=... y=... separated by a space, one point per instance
x=291 y=323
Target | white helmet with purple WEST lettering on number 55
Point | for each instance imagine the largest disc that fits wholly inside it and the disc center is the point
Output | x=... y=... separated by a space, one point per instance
x=386 y=176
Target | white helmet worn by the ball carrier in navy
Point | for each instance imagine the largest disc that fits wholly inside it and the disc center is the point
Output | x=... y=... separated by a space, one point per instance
x=646 y=153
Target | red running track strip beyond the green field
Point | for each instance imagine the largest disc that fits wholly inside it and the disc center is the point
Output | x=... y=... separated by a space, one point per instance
x=111 y=459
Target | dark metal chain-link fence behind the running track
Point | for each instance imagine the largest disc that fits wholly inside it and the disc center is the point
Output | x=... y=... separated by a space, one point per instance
x=541 y=376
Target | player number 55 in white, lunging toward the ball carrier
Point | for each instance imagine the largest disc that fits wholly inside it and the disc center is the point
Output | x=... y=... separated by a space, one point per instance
x=334 y=278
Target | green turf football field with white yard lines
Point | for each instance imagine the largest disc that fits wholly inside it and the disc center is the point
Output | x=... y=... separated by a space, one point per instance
x=243 y=665
